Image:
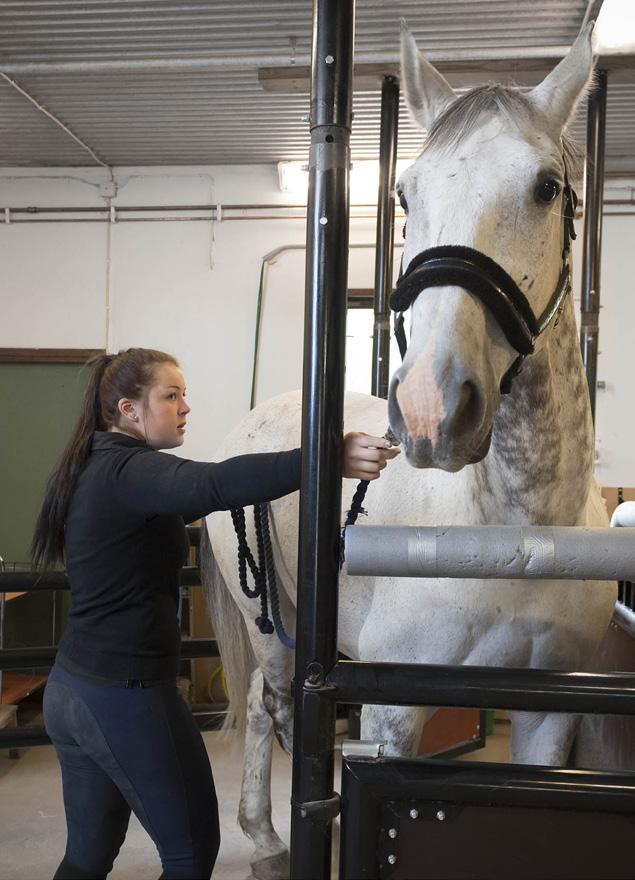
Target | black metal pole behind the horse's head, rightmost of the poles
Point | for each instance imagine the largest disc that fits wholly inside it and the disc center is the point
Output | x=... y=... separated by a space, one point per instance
x=592 y=251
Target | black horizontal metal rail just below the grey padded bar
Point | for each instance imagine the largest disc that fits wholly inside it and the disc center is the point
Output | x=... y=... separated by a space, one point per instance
x=481 y=687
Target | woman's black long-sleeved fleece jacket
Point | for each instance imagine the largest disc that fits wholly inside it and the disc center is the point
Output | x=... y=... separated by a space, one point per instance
x=125 y=543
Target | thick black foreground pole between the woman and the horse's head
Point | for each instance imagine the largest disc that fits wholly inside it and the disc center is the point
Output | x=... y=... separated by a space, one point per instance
x=322 y=419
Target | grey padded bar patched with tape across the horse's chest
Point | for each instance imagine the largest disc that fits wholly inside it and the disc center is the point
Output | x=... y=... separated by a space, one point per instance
x=555 y=552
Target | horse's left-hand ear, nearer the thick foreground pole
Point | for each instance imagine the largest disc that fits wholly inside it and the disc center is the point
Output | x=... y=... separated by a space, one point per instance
x=427 y=92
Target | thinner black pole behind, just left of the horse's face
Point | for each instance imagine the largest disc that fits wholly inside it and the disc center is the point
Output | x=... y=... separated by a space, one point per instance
x=385 y=234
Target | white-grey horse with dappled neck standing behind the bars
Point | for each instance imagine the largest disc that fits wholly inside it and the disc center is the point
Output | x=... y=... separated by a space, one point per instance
x=491 y=178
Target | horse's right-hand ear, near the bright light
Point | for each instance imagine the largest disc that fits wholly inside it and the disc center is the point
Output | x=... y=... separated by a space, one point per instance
x=559 y=93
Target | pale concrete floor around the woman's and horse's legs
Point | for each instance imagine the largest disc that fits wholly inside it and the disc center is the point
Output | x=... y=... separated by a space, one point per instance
x=32 y=827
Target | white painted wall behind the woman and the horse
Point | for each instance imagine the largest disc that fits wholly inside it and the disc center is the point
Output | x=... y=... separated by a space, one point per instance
x=191 y=288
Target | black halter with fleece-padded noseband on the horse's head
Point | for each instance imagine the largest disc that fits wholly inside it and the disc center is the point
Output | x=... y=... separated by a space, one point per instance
x=490 y=283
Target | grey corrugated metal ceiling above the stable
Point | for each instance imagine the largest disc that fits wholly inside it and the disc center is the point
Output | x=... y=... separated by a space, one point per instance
x=217 y=111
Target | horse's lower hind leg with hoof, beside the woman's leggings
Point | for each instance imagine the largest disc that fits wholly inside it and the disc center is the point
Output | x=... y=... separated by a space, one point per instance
x=270 y=860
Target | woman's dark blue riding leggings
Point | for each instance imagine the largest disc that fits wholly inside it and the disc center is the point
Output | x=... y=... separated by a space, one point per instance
x=131 y=748
